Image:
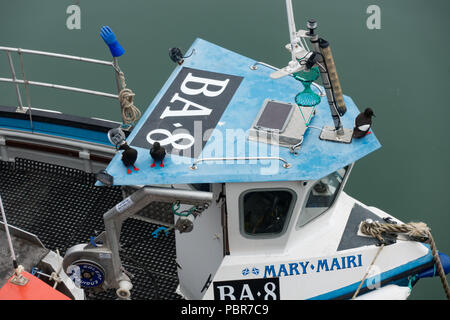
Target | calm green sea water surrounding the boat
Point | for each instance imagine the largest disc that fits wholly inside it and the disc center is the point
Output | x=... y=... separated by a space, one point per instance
x=400 y=70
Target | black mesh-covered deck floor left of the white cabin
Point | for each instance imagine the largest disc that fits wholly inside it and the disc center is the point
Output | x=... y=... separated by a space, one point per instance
x=63 y=208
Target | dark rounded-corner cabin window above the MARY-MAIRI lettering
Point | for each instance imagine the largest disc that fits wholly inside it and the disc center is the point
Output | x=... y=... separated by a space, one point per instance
x=265 y=212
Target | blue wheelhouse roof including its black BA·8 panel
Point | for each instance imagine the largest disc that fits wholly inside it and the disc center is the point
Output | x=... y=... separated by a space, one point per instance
x=218 y=114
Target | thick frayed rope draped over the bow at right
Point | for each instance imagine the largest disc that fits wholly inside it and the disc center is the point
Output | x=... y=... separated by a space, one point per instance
x=417 y=231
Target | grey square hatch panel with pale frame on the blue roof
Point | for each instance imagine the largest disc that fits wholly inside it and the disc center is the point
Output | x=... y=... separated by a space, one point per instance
x=274 y=116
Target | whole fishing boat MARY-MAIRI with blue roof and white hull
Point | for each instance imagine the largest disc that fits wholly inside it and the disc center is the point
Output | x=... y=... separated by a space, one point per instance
x=244 y=201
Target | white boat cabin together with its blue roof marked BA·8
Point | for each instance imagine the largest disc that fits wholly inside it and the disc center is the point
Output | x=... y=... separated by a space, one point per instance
x=231 y=130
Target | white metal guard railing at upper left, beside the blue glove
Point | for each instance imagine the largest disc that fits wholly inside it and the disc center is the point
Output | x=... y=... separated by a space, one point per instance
x=26 y=82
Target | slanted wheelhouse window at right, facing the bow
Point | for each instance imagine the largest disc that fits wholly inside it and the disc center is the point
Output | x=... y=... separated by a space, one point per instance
x=321 y=196
